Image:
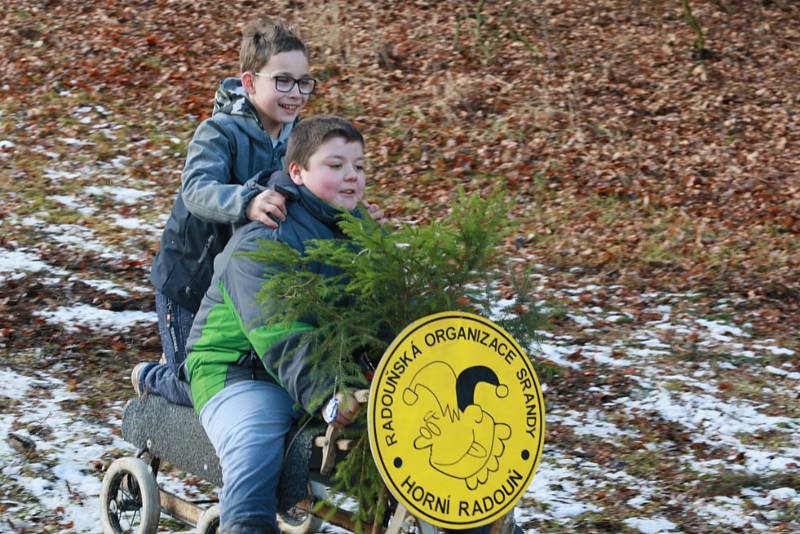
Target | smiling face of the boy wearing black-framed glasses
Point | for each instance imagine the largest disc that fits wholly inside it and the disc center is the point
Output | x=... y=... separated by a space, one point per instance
x=274 y=107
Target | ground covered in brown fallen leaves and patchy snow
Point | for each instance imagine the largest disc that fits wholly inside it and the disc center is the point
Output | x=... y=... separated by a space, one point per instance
x=655 y=192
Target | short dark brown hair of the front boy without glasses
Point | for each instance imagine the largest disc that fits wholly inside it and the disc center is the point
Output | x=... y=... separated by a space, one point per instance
x=310 y=133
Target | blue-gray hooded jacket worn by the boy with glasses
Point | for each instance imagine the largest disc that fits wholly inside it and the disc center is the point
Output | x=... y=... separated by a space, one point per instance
x=229 y=161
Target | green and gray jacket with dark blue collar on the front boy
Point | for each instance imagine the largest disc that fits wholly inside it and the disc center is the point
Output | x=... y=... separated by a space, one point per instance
x=231 y=323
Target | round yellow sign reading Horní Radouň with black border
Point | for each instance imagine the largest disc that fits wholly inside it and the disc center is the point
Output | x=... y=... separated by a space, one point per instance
x=456 y=420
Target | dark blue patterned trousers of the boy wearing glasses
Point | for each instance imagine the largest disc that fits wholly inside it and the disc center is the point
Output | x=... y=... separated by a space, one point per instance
x=174 y=325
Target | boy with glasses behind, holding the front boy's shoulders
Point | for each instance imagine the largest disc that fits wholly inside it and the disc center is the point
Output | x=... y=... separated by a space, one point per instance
x=228 y=166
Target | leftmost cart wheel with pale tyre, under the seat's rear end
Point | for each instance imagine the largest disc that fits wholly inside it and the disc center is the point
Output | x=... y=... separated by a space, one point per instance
x=129 y=500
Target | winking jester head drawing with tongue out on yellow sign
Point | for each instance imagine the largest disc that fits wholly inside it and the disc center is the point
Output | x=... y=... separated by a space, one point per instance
x=463 y=440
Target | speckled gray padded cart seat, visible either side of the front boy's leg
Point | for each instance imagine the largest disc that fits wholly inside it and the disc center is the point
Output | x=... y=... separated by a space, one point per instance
x=174 y=434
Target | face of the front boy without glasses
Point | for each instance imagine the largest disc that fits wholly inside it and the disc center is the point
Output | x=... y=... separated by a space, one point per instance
x=335 y=173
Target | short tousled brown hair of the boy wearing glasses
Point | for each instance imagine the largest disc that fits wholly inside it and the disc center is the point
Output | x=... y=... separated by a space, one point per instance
x=263 y=38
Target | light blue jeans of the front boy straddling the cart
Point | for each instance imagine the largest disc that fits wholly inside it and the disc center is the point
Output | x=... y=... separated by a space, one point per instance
x=247 y=423
